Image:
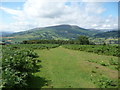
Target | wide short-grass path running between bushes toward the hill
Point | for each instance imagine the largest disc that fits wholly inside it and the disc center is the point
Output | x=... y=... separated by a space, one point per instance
x=64 y=68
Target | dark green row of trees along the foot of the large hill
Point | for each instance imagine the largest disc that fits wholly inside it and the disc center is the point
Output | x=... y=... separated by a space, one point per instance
x=82 y=40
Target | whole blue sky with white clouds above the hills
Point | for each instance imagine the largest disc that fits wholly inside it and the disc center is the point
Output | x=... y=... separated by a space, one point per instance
x=25 y=15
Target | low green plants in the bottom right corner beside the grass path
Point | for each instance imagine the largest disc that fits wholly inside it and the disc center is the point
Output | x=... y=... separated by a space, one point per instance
x=103 y=81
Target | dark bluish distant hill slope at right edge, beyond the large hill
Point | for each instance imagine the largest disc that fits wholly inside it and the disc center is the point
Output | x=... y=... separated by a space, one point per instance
x=109 y=34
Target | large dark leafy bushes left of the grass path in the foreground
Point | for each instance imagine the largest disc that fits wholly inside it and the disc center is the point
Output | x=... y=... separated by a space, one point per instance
x=17 y=66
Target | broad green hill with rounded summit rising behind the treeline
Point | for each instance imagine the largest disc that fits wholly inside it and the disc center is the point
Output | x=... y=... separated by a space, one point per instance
x=63 y=32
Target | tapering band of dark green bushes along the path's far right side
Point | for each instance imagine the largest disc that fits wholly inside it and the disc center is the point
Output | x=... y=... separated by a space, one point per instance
x=99 y=49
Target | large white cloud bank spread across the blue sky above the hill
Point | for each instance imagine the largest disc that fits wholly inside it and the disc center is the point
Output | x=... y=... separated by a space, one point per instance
x=41 y=13
